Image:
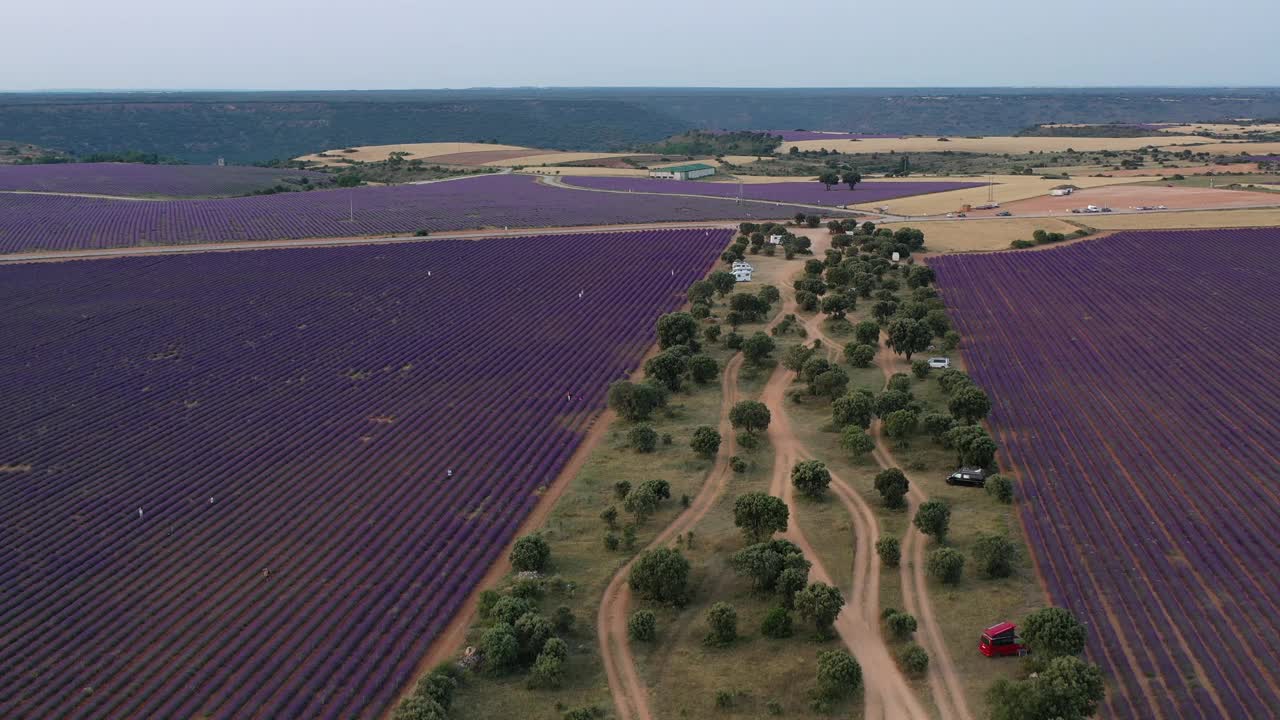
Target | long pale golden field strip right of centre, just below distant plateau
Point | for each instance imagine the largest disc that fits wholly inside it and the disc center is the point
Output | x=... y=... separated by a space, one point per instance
x=1014 y=145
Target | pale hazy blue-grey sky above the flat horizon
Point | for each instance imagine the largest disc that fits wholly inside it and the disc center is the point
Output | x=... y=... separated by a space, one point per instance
x=404 y=44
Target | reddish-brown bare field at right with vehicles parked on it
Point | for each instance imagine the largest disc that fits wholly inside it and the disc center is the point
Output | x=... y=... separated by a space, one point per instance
x=1130 y=197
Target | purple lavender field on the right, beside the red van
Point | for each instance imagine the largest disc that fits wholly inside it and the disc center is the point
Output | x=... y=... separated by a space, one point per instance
x=1136 y=399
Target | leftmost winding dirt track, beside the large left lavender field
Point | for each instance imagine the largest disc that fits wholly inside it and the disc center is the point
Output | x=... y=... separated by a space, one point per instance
x=630 y=696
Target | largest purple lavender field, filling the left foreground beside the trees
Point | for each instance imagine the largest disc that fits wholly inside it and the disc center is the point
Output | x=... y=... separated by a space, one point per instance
x=225 y=476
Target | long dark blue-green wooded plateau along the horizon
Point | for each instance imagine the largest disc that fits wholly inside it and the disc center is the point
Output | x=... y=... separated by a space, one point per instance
x=245 y=127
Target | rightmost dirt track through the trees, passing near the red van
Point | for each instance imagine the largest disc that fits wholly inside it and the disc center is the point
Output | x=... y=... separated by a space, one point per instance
x=944 y=678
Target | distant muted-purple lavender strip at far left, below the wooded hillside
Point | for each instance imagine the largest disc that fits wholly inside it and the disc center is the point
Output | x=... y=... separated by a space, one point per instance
x=159 y=181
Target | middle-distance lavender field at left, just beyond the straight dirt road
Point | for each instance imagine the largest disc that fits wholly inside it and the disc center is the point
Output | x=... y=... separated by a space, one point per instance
x=48 y=222
